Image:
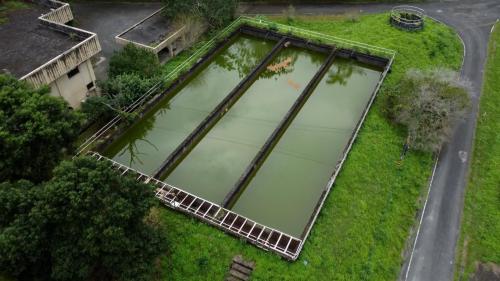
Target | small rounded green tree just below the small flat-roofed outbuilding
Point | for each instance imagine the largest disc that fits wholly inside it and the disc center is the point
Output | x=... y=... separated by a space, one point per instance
x=135 y=60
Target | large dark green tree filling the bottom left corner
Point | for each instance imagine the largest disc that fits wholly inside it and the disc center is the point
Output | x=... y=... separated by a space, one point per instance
x=87 y=223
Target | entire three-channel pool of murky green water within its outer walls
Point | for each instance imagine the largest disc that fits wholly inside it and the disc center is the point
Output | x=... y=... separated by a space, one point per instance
x=286 y=186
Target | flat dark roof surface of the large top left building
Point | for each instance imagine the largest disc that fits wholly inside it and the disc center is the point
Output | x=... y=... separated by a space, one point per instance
x=26 y=44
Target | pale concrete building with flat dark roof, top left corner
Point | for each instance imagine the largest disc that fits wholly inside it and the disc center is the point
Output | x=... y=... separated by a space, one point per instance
x=38 y=46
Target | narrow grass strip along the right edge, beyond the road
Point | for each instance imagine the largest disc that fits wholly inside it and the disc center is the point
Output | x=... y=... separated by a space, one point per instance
x=480 y=237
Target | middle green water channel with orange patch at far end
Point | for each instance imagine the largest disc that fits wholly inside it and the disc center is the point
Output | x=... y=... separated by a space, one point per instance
x=214 y=165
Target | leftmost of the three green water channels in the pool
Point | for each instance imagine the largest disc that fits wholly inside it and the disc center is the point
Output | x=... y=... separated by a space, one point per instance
x=147 y=144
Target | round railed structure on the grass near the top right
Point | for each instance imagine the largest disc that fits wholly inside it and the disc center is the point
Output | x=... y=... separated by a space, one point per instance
x=407 y=17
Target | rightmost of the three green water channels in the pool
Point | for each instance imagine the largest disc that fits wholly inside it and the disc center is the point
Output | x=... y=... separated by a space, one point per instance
x=287 y=187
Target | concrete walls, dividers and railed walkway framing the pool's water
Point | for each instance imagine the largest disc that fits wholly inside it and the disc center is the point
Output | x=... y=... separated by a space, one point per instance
x=231 y=222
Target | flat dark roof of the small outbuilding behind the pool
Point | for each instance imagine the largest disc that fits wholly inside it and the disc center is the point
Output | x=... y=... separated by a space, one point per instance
x=151 y=30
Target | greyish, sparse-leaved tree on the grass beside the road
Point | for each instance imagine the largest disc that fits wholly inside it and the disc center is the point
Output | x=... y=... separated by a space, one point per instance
x=429 y=103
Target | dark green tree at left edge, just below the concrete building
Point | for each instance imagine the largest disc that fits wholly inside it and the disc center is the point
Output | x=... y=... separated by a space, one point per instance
x=35 y=129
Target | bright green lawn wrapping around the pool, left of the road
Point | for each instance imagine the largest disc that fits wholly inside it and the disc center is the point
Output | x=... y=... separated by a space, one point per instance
x=362 y=229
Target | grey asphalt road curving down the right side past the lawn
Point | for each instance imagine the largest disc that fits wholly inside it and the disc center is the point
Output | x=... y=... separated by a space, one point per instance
x=433 y=253
